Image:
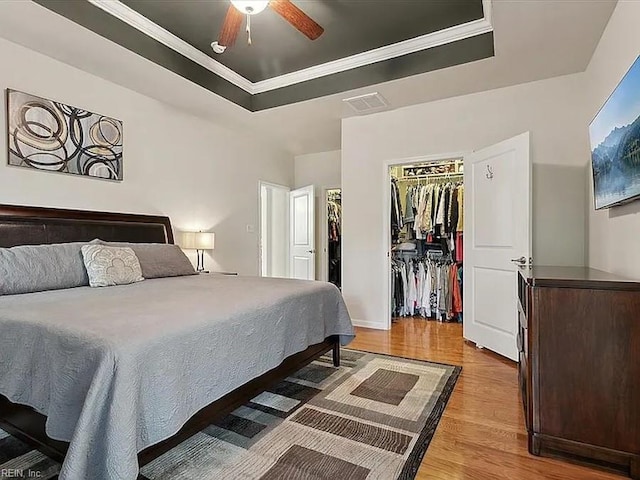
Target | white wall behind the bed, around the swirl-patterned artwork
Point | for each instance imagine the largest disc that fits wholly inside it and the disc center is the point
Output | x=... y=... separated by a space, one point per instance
x=200 y=174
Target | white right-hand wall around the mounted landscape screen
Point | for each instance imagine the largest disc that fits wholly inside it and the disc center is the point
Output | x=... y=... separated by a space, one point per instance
x=614 y=234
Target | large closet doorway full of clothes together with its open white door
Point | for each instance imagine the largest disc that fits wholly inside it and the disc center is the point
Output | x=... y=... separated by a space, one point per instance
x=458 y=232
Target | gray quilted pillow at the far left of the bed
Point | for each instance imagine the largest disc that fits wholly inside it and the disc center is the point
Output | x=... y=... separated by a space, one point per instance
x=35 y=268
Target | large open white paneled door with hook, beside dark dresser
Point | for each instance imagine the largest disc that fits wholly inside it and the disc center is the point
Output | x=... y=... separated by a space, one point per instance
x=497 y=215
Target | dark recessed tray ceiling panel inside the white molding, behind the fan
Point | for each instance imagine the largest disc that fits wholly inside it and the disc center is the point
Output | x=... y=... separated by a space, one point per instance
x=352 y=27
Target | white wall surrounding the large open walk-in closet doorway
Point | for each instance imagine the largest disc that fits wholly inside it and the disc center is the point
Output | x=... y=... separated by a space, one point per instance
x=550 y=109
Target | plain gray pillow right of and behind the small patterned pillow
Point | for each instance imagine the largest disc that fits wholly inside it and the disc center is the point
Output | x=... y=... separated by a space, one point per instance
x=158 y=259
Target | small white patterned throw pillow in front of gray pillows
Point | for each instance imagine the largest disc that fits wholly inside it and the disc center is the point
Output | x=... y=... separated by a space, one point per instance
x=107 y=266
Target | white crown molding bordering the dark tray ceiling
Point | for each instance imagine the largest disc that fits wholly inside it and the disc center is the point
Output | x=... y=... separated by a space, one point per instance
x=424 y=42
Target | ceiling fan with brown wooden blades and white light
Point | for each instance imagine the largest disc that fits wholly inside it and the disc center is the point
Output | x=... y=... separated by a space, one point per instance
x=238 y=8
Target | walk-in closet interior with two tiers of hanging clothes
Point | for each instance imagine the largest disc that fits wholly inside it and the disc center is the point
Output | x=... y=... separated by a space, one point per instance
x=427 y=217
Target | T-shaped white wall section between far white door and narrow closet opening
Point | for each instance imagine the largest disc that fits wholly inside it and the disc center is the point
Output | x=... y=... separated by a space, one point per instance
x=322 y=170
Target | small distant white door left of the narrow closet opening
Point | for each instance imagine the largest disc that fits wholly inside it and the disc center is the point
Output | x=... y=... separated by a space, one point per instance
x=302 y=245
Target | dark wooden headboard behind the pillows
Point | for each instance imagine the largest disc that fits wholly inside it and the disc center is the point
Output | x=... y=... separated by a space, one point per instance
x=21 y=225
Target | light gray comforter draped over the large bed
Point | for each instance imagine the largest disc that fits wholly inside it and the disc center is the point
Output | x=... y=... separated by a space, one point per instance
x=118 y=369
